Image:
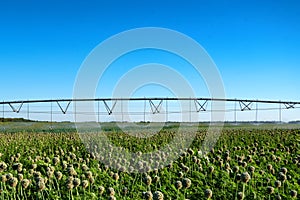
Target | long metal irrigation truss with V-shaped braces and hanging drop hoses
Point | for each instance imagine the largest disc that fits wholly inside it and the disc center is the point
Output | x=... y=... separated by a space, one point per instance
x=200 y=104
